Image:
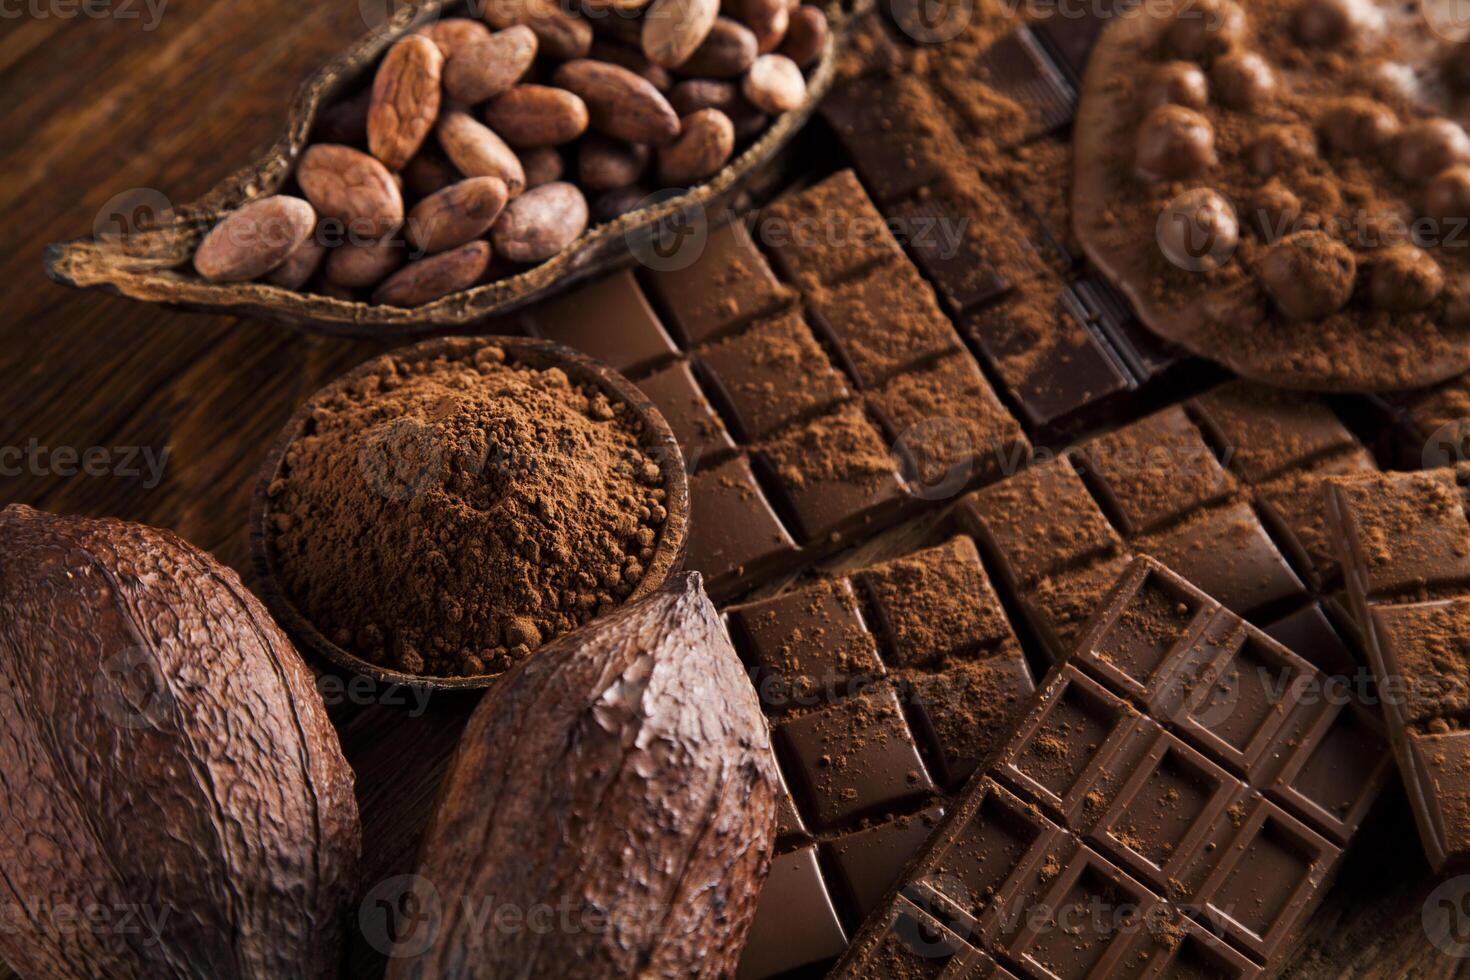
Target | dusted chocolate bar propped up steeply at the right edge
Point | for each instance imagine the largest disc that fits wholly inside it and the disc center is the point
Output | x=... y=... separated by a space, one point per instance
x=1406 y=547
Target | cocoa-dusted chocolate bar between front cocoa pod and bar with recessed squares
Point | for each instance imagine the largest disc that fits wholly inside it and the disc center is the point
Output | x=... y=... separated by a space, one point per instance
x=881 y=709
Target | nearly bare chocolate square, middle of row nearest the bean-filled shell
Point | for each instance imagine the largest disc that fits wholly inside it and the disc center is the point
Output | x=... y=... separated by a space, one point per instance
x=727 y=287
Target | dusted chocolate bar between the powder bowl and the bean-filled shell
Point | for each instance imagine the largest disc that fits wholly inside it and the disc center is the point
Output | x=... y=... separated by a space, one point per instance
x=787 y=402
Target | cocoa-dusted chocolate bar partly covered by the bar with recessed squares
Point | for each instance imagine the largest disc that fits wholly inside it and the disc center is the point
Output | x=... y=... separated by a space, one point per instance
x=1227 y=489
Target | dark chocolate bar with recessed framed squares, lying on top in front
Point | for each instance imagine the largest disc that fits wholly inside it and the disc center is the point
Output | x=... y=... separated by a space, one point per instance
x=1181 y=765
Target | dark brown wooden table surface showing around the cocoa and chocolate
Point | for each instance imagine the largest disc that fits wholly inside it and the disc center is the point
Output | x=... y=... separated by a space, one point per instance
x=95 y=107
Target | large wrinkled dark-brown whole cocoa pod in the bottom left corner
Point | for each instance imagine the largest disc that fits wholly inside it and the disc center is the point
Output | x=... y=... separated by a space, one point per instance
x=161 y=743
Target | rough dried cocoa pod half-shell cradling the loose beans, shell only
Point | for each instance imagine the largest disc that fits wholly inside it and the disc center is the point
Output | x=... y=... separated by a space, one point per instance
x=152 y=265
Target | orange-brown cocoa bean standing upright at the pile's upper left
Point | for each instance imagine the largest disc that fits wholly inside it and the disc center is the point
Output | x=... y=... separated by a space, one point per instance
x=405 y=101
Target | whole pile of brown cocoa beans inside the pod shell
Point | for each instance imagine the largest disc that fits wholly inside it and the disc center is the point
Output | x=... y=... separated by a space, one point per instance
x=487 y=146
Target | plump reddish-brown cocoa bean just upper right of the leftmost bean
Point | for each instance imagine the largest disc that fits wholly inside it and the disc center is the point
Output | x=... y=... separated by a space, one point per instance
x=352 y=187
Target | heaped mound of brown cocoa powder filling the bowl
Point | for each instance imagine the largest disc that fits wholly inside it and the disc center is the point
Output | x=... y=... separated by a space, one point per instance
x=449 y=516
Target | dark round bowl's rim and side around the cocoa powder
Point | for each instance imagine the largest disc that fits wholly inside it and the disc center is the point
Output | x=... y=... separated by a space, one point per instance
x=656 y=440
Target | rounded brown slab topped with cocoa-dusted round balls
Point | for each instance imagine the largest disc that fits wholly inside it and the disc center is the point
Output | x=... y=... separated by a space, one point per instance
x=1283 y=187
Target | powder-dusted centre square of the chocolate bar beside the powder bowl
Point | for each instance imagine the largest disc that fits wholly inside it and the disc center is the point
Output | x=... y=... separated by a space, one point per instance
x=771 y=375
